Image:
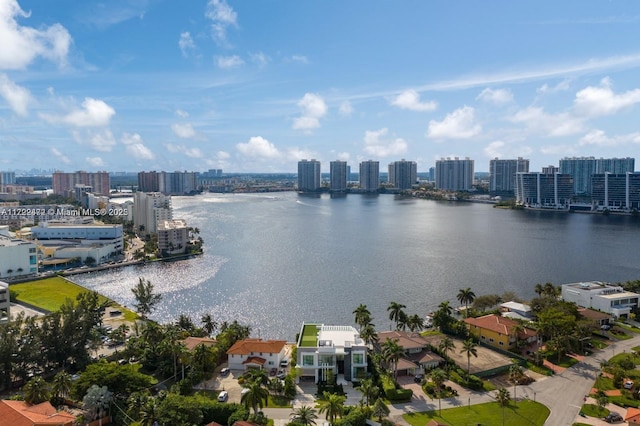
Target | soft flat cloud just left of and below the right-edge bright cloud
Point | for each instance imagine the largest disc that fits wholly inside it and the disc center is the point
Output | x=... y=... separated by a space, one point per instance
x=538 y=121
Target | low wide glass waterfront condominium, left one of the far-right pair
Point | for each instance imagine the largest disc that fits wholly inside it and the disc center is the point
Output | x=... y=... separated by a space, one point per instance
x=544 y=191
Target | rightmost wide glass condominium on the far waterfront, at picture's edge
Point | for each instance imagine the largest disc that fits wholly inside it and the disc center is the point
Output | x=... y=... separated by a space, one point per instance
x=616 y=191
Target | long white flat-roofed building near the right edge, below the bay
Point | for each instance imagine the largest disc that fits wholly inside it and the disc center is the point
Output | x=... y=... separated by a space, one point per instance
x=608 y=298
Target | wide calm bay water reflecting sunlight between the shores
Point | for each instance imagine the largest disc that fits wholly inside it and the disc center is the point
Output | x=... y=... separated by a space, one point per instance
x=275 y=260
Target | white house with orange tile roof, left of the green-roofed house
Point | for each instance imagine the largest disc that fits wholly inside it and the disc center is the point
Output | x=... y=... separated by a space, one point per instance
x=256 y=353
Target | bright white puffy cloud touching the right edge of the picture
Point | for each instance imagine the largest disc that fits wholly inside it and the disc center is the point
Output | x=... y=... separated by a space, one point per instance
x=599 y=101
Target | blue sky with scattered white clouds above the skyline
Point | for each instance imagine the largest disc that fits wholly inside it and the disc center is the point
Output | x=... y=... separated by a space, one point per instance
x=255 y=86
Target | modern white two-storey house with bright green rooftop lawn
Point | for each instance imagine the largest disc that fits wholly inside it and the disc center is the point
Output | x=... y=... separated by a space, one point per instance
x=325 y=350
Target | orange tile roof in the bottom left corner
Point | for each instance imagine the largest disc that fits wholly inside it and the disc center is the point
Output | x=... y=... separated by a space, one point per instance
x=20 y=413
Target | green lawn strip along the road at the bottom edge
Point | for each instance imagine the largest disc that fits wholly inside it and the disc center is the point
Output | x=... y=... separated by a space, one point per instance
x=526 y=412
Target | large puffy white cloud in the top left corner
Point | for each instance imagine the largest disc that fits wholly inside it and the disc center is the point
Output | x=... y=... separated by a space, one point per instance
x=22 y=45
